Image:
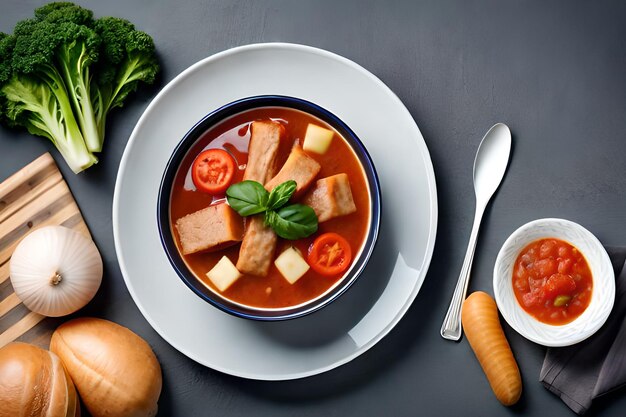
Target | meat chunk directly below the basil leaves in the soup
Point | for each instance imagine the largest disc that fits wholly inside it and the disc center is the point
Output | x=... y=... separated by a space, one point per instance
x=257 y=249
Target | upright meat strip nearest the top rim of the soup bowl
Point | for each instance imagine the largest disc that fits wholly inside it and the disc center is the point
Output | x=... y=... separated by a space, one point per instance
x=262 y=150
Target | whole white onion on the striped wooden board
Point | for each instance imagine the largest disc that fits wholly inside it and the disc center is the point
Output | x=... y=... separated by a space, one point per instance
x=55 y=271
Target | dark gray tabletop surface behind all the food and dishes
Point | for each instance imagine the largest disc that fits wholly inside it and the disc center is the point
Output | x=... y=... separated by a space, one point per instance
x=555 y=72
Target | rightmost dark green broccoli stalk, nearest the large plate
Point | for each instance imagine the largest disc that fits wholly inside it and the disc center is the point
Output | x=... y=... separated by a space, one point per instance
x=127 y=58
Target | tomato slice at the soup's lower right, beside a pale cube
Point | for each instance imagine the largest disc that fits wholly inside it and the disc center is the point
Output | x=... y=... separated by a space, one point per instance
x=330 y=254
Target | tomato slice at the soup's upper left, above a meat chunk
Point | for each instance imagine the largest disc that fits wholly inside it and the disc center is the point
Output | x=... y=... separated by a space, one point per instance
x=213 y=170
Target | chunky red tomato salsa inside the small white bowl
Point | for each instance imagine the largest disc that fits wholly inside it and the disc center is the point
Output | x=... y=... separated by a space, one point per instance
x=552 y=281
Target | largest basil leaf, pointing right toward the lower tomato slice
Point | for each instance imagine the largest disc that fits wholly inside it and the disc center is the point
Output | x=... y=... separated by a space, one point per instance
x=292 y=222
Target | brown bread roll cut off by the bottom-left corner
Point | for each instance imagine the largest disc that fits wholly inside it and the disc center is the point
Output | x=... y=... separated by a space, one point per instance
x=33 y=383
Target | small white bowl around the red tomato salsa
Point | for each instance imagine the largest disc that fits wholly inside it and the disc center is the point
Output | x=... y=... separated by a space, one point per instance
x=603 y=294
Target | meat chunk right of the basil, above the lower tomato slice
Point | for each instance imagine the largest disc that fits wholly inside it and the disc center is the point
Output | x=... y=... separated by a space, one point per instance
x=331 y=197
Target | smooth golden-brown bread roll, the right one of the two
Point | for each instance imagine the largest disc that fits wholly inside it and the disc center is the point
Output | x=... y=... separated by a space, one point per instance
x=114 y=370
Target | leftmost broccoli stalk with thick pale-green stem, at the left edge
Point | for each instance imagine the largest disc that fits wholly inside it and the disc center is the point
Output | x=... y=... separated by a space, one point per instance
x=34 y=95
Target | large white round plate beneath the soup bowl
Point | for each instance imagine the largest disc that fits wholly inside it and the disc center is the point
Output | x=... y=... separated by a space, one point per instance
x=395 y=273
